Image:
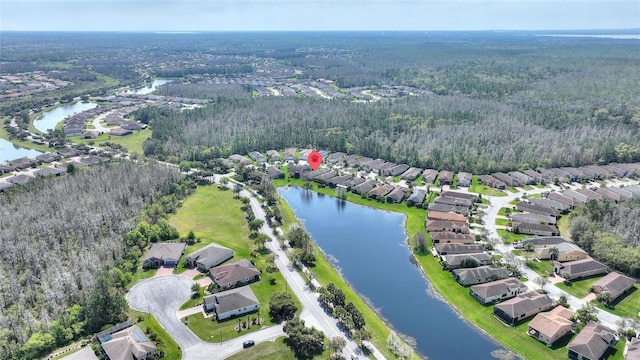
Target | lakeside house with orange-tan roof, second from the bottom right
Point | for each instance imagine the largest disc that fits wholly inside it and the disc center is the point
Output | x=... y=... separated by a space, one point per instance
x=550 y=326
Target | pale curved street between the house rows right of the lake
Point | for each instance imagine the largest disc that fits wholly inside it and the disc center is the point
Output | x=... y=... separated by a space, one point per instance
x=491 y=212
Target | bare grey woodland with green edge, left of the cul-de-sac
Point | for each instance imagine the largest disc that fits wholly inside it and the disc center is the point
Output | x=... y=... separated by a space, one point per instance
x=68 y=250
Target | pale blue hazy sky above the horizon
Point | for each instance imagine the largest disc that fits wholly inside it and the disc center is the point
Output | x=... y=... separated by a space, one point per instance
x=322 y=15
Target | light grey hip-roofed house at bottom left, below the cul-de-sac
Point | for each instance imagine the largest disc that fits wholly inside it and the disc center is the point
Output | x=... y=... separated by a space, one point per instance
x=130 y=343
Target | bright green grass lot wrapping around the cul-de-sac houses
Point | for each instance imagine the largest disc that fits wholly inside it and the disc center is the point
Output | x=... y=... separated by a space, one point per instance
x=215 y=216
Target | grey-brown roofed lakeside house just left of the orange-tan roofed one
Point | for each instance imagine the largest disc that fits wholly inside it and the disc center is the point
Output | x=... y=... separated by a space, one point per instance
x=521 y=307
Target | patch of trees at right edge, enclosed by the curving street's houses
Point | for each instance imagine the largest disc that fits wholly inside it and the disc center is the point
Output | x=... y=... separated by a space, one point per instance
x=610 y=232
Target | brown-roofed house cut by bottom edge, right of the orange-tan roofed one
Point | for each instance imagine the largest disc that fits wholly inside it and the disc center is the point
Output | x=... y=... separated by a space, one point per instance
x=592 y=342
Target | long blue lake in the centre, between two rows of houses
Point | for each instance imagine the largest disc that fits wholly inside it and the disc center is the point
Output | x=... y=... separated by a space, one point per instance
x=368 y=246
